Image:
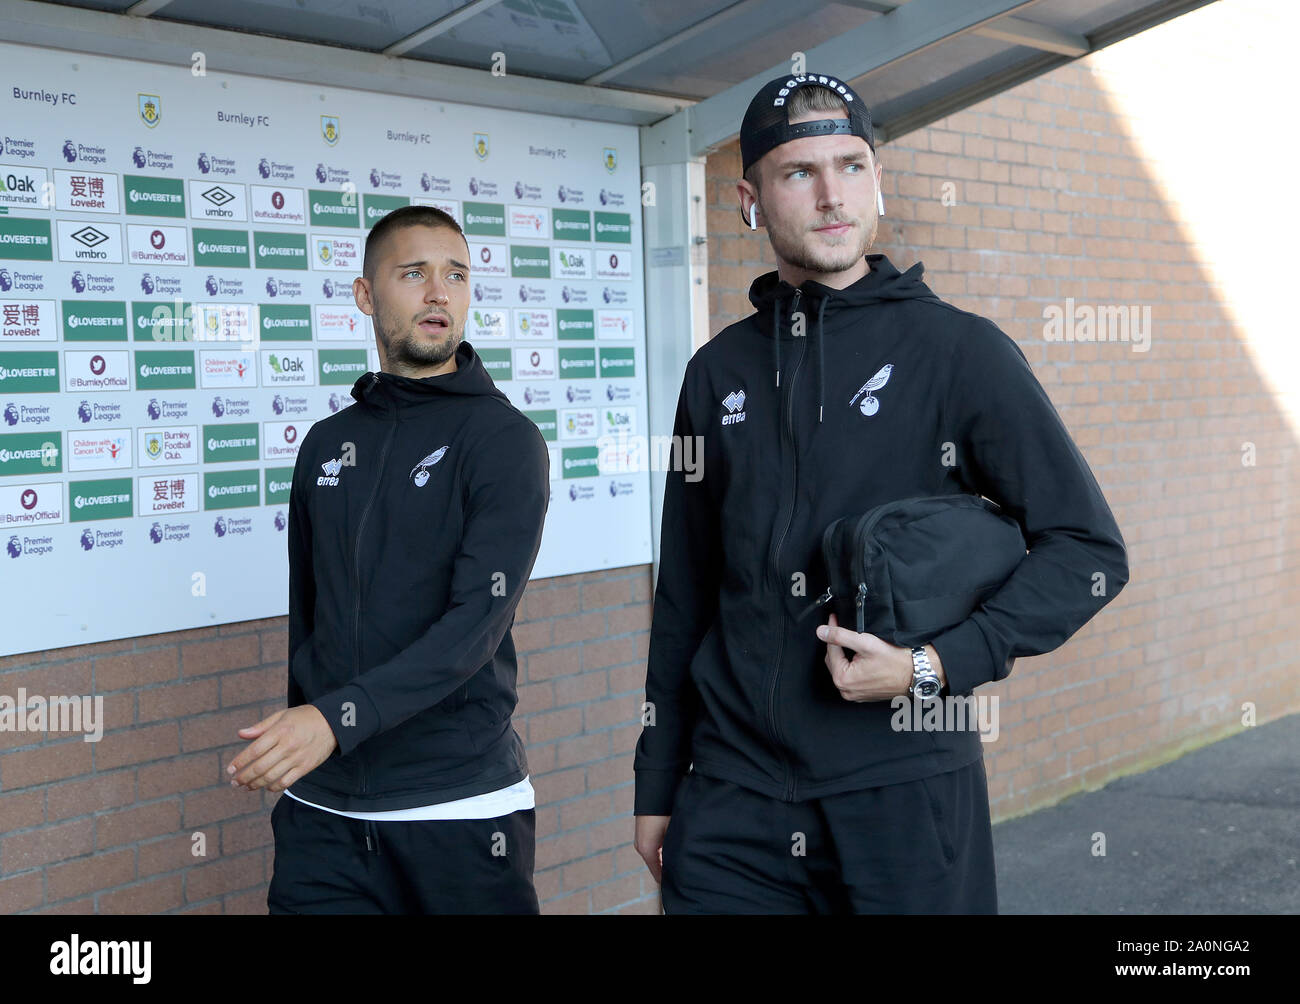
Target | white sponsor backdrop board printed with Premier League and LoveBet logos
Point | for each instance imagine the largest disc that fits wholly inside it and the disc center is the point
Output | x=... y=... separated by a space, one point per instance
x=176 y=311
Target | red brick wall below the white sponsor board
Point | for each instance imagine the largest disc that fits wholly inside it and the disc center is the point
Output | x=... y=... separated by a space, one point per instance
x=110 y=826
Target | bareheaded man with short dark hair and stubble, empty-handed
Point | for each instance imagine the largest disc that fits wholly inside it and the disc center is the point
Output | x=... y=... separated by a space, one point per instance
x=415 y=518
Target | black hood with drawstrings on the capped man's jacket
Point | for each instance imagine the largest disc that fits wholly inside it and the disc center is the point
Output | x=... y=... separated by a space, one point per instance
x=772 y=295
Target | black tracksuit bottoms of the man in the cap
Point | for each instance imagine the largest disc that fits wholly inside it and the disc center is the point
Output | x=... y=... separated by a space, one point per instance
x=918 y=847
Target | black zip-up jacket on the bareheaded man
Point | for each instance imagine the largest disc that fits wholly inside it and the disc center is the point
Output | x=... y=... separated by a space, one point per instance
x=415 y=518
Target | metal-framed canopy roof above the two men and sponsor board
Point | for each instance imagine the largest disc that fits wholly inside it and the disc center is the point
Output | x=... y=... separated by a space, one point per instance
x=640 y=62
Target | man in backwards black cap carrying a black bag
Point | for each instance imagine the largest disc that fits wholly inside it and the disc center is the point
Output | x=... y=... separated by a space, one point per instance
x=769 y=778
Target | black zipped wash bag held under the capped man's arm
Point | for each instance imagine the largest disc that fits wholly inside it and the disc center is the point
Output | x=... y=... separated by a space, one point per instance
x=913 y=569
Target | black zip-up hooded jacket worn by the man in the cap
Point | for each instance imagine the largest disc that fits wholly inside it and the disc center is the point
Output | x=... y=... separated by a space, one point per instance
x=865 y=396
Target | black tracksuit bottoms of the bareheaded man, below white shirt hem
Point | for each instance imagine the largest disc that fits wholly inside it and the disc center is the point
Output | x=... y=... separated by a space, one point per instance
x=335 y=864
